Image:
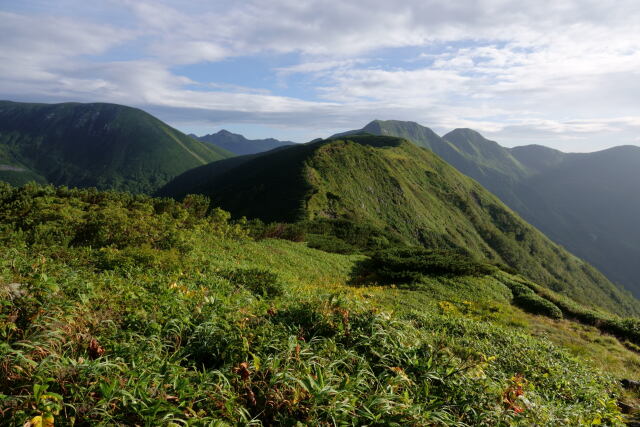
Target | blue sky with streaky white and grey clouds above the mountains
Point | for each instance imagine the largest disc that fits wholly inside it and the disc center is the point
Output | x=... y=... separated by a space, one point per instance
x=561 y=73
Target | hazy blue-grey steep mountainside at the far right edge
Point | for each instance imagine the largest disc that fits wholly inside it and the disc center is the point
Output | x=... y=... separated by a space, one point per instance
x=593 y=209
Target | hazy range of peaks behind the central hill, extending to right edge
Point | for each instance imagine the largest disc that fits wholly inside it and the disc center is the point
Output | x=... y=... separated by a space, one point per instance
x=586 y=202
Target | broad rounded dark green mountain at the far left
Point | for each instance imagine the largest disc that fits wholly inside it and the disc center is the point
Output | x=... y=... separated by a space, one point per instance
x=107 y=146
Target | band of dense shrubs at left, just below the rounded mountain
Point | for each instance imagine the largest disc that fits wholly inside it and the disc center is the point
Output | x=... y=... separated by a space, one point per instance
x=48 y=216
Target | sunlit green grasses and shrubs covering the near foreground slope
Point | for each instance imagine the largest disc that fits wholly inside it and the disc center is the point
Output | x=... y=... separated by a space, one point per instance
x=124 y=309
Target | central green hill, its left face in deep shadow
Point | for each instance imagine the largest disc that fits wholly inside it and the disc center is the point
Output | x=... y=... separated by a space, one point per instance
x=393 y=184
